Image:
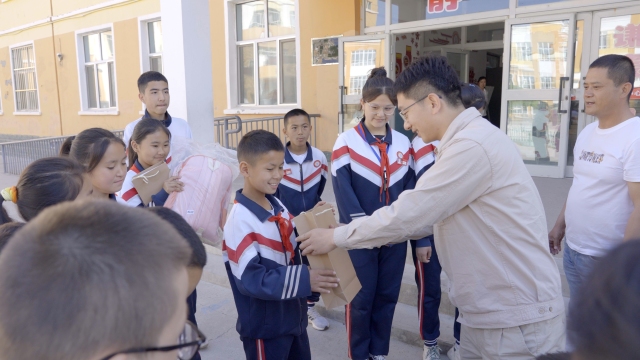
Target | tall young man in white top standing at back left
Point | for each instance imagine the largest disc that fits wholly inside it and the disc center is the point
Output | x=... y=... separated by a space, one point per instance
x=154 y=94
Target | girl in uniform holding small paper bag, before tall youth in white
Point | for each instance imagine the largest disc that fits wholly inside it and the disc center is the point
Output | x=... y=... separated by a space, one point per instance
x=149 y=145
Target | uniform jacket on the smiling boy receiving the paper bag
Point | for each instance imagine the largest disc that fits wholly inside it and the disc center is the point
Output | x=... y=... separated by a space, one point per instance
x=268 y=287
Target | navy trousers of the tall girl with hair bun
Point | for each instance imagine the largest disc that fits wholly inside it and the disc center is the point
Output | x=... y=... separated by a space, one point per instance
x=369 y=316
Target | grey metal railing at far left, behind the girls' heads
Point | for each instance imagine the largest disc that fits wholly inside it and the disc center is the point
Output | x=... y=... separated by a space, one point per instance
x=18 y=154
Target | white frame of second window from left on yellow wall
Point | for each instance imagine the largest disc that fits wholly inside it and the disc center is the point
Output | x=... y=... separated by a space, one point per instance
x=82 y=81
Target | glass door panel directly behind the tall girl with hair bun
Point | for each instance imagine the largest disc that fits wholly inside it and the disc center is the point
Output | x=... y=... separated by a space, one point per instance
x=357 y=56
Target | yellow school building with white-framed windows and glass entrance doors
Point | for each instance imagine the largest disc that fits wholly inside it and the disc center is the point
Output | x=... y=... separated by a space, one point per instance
x=68 y=65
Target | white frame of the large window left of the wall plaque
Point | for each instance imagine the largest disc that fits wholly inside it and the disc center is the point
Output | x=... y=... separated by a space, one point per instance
x=233 y=91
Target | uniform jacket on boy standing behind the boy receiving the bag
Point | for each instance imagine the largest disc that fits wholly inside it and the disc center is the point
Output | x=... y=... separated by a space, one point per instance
x=303 y=184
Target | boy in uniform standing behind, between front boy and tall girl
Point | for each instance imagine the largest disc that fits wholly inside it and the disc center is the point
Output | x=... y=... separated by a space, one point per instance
x=305 y=175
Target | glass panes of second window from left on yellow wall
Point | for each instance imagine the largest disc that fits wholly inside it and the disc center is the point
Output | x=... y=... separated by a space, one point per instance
x=97 y=70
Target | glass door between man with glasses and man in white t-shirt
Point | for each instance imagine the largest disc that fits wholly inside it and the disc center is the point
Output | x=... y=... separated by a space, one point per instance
x=537 y=90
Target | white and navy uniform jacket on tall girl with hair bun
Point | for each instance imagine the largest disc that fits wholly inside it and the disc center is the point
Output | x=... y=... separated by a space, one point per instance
x=355 y=171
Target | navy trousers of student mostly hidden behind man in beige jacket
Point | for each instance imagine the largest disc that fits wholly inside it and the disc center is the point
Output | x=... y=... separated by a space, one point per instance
x=429 y=293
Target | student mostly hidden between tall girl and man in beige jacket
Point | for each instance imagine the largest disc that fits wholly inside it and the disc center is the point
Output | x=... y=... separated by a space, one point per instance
x=425 y=259
